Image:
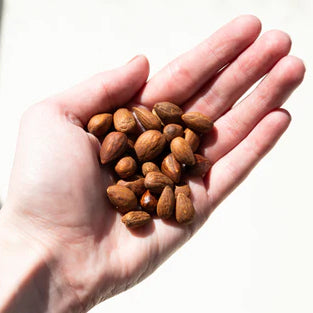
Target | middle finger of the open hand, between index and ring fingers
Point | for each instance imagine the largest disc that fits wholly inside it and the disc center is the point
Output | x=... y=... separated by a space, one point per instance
x=218 y=95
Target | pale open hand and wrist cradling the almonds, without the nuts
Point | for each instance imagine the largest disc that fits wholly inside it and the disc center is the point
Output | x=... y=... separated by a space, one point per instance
x=62 y=246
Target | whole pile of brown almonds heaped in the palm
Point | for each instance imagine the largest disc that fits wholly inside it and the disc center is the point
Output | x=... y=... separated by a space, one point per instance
x=150 y=153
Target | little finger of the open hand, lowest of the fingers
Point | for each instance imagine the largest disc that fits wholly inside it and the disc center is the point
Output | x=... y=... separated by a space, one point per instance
x=230 y=171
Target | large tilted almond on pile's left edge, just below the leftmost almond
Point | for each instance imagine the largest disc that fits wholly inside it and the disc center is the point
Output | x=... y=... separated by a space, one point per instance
x=113 y=146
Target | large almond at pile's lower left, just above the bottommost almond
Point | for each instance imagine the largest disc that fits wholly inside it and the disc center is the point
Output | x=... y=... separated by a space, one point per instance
x=122 y=198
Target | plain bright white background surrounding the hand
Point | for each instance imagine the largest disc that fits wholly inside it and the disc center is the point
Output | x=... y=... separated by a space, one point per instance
x=255 y=252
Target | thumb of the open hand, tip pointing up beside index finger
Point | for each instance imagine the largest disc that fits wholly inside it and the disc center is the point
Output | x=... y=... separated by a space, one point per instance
x=105 y=91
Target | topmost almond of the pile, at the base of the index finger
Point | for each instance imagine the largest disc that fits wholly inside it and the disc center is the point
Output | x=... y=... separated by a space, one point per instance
x=168 y=112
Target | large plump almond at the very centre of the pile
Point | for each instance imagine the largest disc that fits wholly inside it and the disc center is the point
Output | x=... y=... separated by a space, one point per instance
x=149 y=145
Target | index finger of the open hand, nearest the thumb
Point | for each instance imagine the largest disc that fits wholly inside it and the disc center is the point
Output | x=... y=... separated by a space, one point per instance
x=181 y=78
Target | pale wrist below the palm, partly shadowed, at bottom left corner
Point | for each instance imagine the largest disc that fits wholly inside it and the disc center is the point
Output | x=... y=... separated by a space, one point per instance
x=30 y=277
